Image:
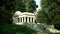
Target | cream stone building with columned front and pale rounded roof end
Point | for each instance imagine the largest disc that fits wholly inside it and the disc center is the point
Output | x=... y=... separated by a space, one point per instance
x=25 y=17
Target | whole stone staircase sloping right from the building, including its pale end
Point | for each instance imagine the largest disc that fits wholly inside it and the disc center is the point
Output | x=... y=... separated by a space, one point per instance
x=42 y=27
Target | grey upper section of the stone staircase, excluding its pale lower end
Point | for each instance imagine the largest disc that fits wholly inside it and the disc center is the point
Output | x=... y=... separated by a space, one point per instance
x=37 y=27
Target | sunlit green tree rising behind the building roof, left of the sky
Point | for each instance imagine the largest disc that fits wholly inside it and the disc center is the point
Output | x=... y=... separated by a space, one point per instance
x=30 y=5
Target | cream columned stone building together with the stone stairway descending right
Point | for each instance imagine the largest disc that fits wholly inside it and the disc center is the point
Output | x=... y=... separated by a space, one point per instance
x=20 y=18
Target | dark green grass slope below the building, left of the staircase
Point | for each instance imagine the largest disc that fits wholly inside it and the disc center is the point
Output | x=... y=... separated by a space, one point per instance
x=15 y=29
